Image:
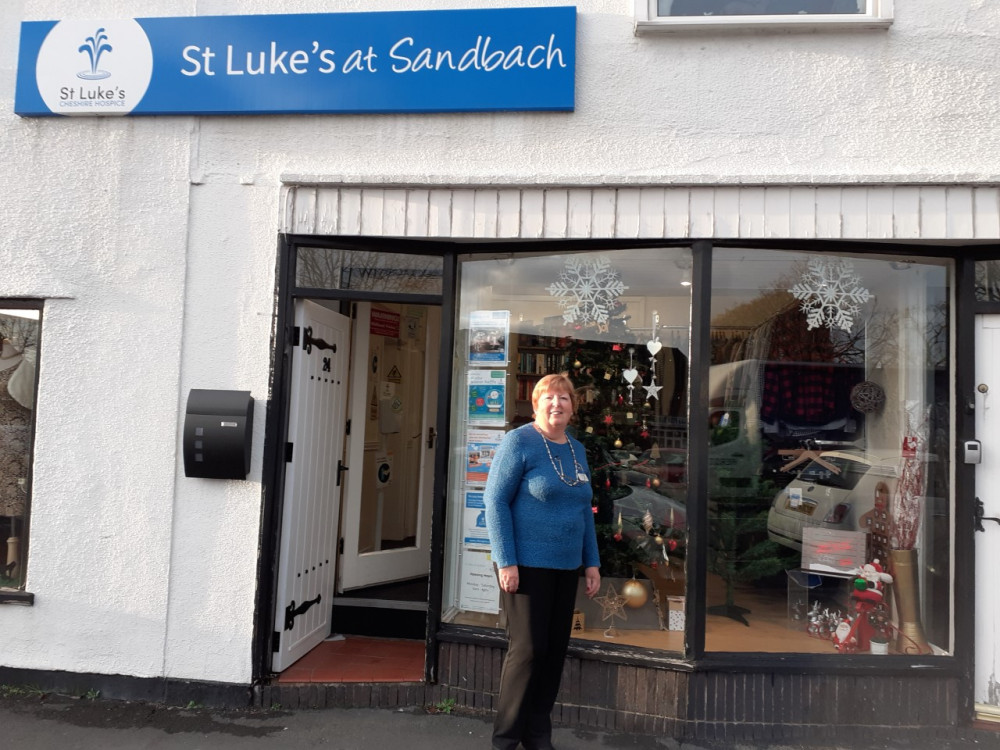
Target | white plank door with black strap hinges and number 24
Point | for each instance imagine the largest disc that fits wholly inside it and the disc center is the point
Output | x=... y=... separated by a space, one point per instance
x=311 y=505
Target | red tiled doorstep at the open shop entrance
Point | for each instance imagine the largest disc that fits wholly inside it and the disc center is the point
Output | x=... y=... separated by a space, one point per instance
x=359 y=659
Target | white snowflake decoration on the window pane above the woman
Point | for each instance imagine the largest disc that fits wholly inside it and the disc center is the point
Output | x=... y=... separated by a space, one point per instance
x=586 y=290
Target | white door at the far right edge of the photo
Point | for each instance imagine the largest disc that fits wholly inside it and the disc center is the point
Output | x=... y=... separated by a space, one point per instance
x=987 y=685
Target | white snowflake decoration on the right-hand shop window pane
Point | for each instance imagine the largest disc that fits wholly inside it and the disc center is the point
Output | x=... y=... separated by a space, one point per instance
x=831 y=294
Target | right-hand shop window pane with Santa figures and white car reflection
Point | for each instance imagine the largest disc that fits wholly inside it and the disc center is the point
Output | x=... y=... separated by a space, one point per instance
x=829 y=503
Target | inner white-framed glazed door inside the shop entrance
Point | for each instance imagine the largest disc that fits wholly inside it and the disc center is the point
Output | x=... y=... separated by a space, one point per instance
x=390 y=452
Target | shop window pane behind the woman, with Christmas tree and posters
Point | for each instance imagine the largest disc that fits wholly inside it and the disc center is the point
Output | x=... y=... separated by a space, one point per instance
x=618 y=323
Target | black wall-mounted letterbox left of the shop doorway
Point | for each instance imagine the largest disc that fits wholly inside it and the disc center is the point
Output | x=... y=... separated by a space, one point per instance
x=218 y=432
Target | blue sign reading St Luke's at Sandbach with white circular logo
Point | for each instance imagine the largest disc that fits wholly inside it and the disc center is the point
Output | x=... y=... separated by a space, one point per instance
x=396 y=61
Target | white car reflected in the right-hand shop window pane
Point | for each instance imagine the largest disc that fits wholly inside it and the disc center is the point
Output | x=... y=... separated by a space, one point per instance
x=836 y=490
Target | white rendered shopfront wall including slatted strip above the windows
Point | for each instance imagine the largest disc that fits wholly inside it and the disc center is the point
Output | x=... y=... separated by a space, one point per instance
x=153 y=240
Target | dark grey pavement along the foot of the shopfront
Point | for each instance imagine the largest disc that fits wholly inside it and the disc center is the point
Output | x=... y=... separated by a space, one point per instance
x=55 y=722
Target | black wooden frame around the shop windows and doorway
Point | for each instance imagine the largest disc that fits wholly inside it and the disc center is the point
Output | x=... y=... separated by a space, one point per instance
x=695 y=658
